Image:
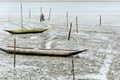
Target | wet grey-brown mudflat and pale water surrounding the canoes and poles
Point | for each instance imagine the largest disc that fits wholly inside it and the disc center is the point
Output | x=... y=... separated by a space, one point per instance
x=100 y=62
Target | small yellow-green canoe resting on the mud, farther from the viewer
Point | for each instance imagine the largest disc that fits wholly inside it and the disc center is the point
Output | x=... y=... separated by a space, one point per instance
x=27 y=31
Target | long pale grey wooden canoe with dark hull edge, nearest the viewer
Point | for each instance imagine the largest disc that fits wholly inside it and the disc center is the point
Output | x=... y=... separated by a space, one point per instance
x=44 y=52
